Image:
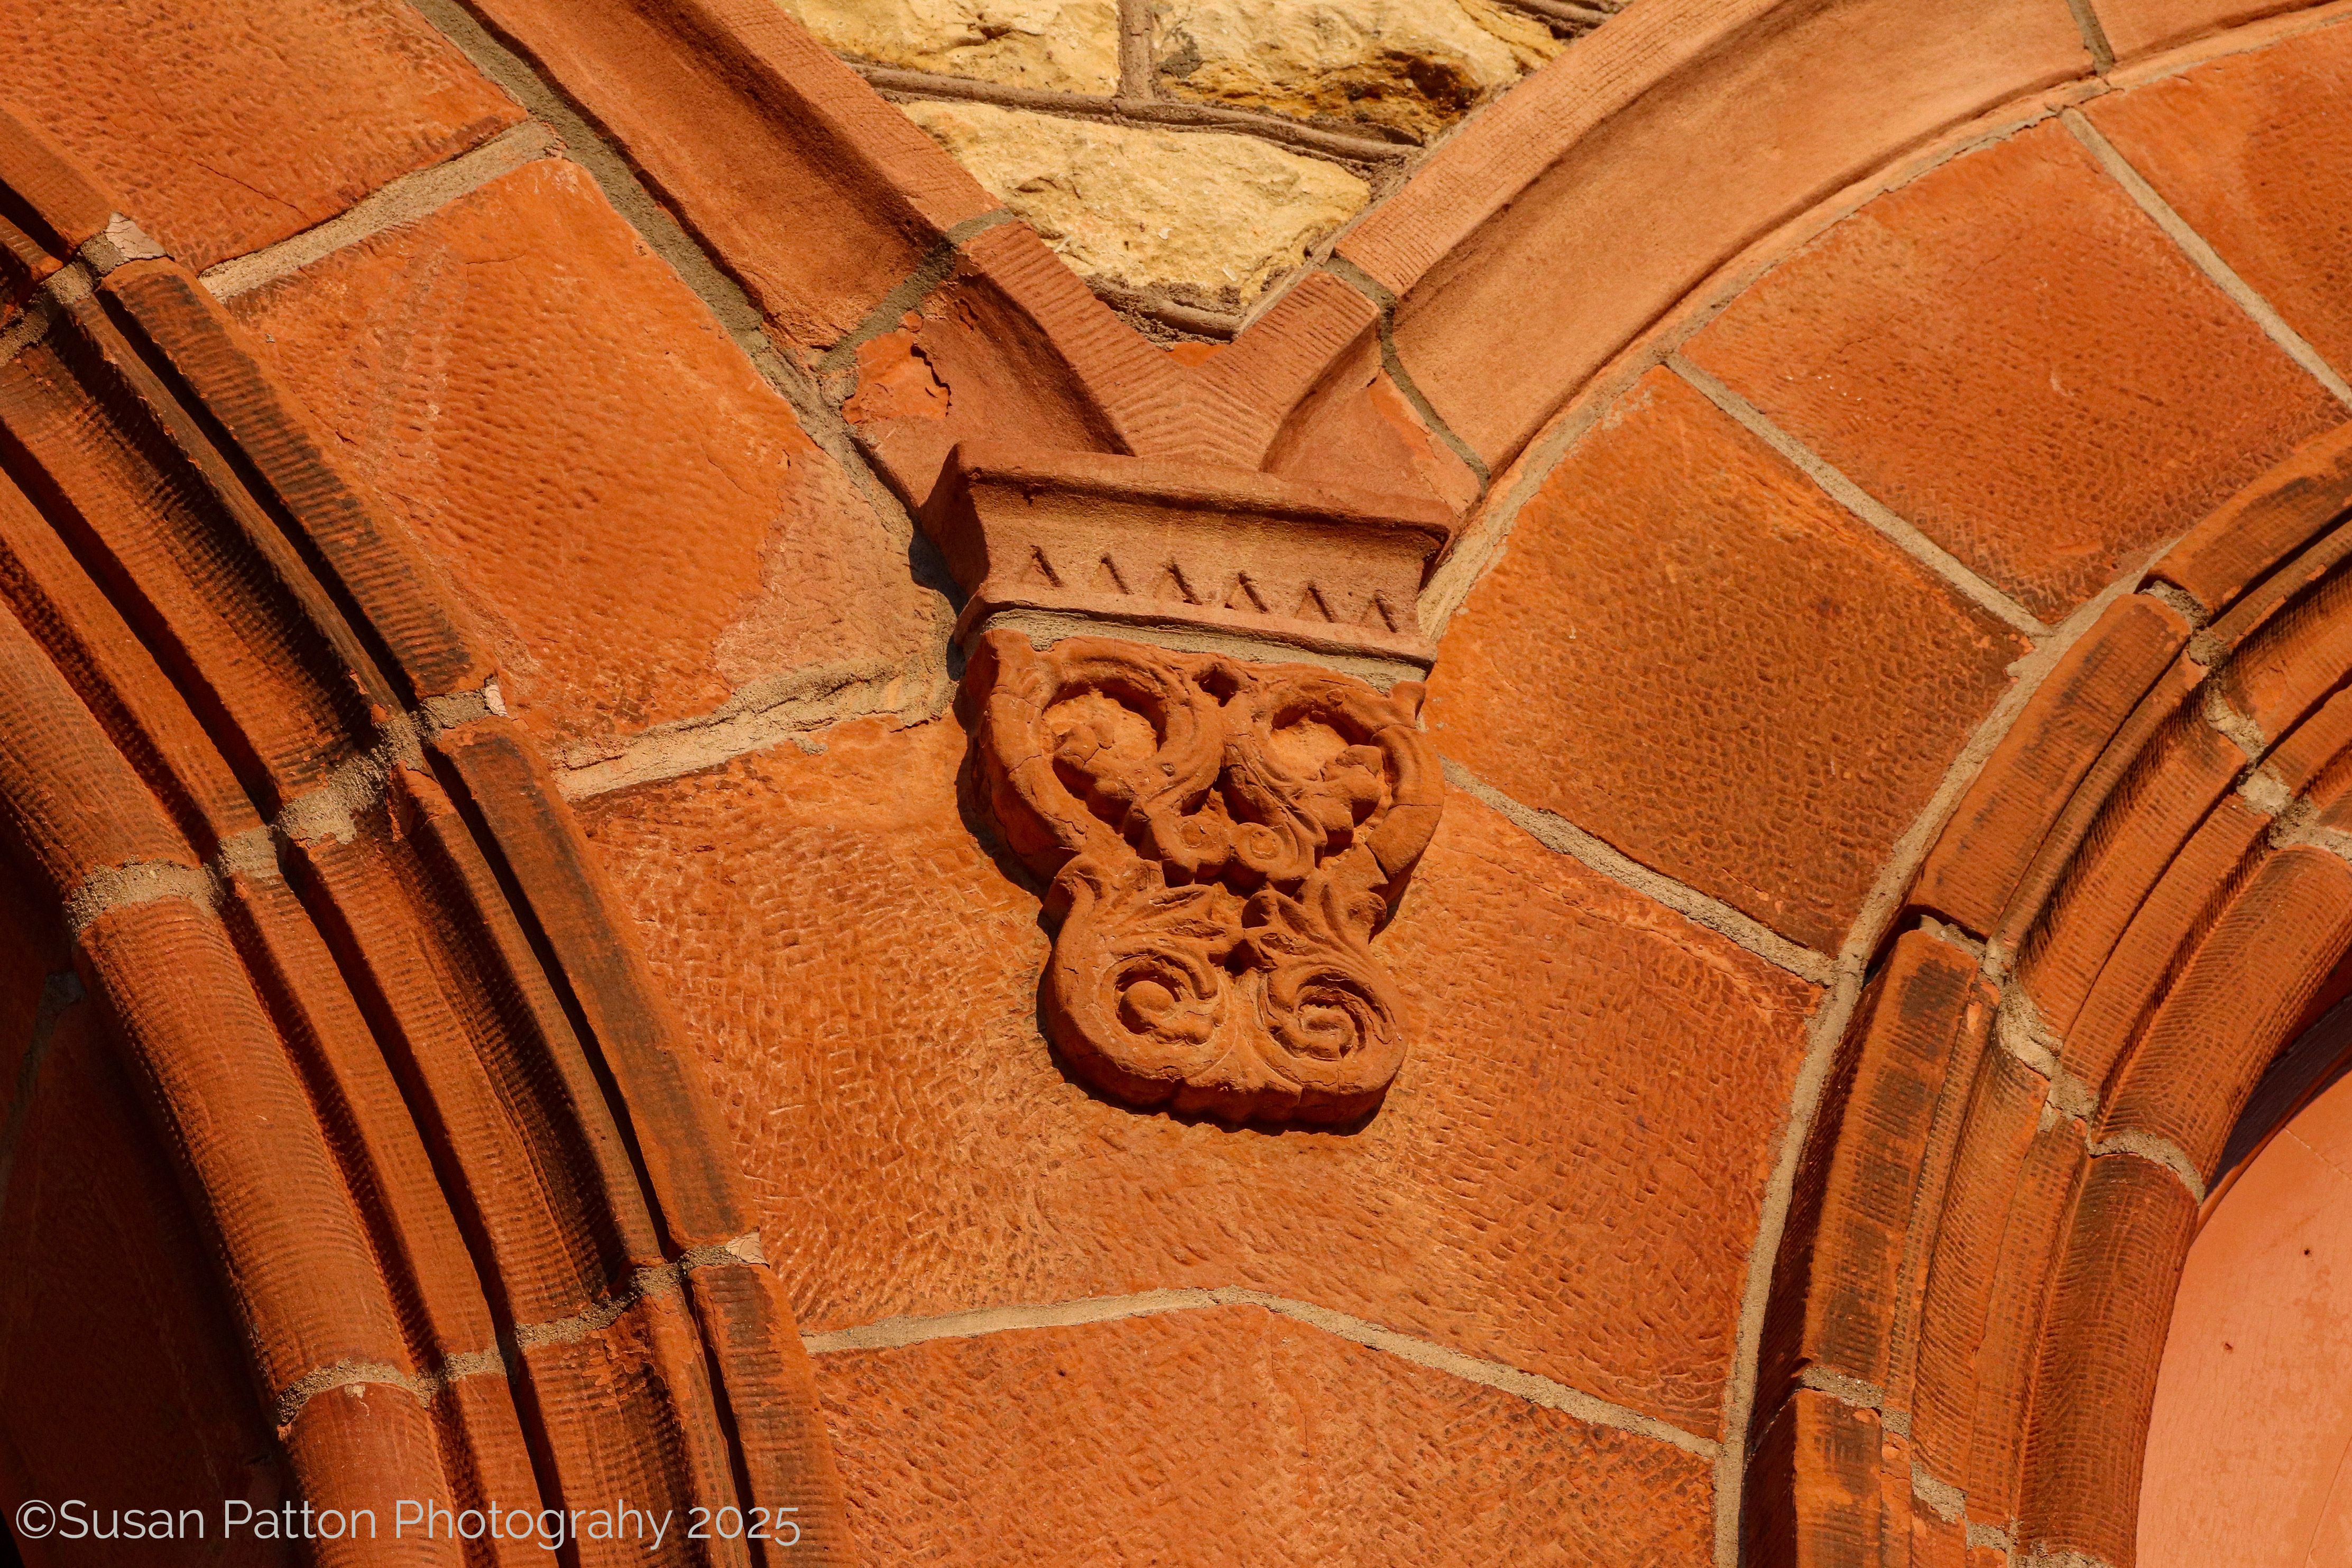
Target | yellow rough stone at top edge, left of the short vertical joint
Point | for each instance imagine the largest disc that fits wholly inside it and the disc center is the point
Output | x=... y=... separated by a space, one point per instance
x=1027 y=43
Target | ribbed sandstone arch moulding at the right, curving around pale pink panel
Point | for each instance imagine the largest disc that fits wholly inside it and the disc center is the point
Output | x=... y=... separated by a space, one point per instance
x=2132 y=913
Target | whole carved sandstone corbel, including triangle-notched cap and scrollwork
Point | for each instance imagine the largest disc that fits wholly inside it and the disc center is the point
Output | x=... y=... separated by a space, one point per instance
x=1177 y=678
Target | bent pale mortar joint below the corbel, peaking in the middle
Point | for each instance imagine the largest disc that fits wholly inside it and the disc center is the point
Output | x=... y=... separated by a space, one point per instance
x=900 y=1332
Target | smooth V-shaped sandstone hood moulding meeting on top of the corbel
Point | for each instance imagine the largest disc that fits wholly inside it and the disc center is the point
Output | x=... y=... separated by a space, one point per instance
x=1535 y=248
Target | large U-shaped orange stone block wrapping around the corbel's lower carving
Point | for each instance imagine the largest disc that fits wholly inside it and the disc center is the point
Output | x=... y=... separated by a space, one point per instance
x=1565 y=1177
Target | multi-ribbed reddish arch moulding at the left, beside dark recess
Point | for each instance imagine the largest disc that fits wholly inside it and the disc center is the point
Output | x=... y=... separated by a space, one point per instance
x=427 y=1108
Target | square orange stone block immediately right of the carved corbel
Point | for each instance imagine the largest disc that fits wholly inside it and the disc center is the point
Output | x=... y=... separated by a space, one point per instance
x=1819 y=683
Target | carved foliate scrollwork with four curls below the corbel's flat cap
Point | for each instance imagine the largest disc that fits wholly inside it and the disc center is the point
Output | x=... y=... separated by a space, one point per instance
x=1222 y=843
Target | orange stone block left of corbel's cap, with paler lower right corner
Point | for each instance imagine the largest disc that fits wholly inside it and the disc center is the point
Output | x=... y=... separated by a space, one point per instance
x=634 y=516
